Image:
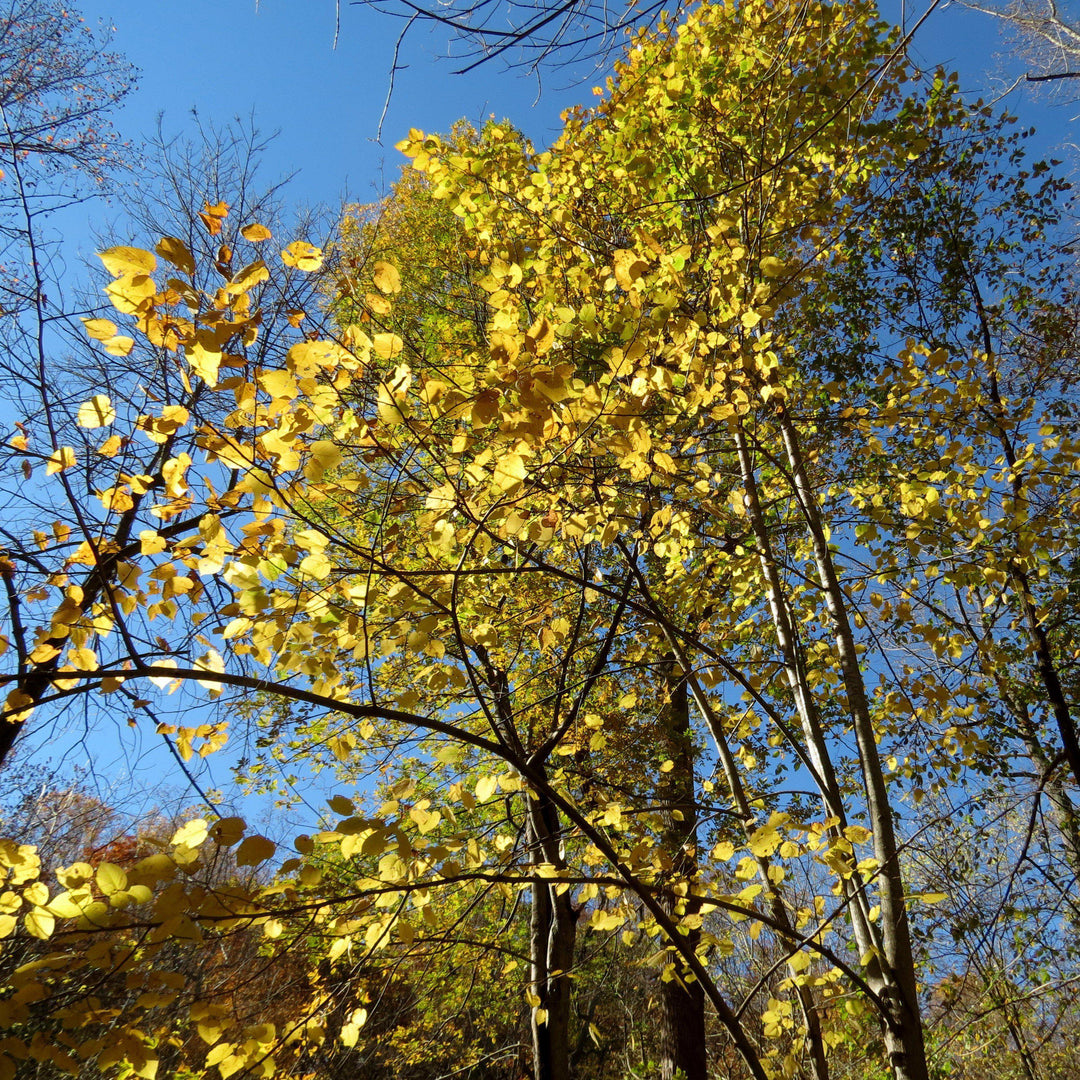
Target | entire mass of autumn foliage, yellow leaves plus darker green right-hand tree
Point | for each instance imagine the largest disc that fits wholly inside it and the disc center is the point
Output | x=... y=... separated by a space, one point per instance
x=679 y=543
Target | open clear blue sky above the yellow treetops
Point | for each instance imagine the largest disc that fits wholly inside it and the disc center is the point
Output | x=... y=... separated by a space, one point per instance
x=232 y=58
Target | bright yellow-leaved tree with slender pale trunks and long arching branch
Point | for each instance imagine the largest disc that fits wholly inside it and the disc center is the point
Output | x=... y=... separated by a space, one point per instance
x=620 y=518
